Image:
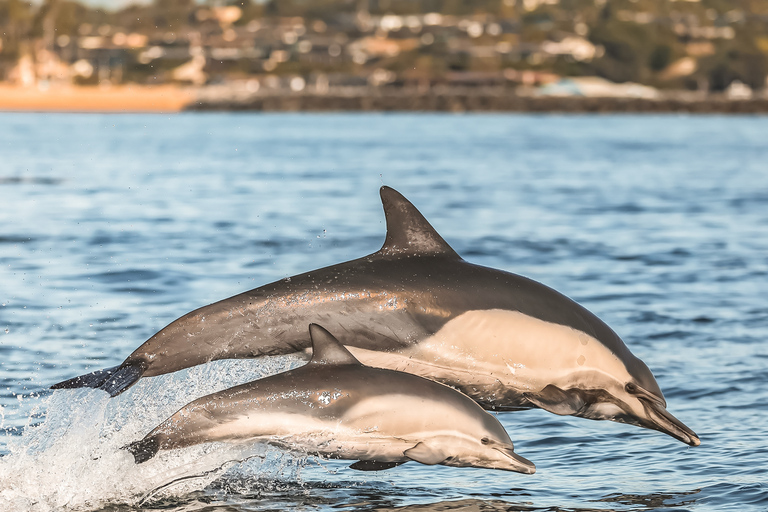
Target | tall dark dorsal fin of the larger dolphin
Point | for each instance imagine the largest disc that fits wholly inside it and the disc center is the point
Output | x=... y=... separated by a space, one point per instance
x=408 y=232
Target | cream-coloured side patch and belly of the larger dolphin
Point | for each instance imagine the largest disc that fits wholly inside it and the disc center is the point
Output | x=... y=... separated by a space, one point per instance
x=509 y=354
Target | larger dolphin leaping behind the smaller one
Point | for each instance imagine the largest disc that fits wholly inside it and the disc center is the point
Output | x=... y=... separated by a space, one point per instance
x=506 y=341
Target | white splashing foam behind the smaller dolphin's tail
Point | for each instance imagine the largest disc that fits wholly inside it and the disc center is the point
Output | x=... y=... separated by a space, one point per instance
x=73 y=459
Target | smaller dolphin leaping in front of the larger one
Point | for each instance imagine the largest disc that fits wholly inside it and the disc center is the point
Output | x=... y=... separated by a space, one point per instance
x=336 y=407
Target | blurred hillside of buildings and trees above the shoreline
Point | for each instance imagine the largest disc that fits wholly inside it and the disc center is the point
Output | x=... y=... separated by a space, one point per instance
x=625 y=48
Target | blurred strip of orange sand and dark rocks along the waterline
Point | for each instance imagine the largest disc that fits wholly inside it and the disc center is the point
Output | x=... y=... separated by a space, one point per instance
x=171 y=98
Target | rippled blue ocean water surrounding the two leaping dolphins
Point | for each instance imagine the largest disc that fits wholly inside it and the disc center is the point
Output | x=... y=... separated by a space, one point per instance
x=111 y=226
